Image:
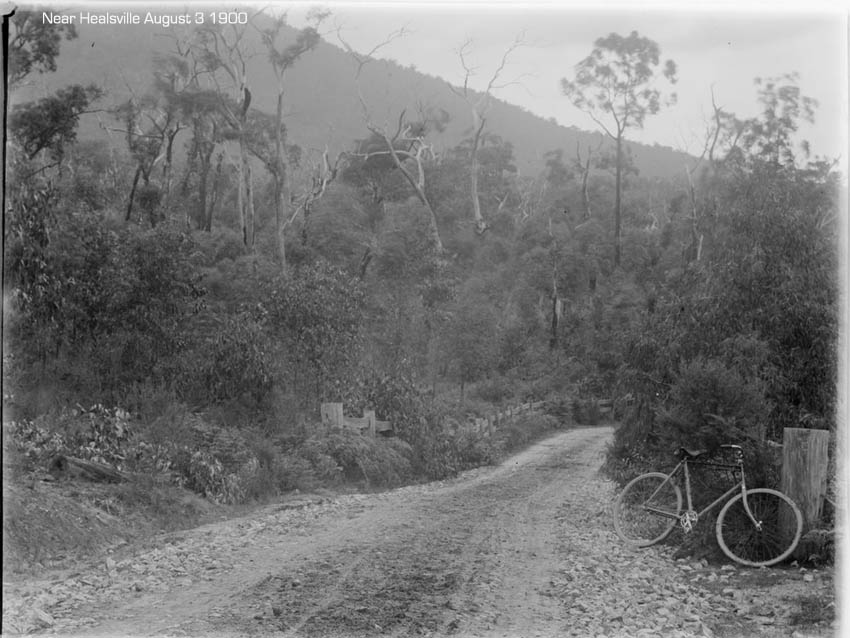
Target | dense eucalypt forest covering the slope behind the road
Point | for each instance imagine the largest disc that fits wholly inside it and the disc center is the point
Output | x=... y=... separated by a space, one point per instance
x=201 y=263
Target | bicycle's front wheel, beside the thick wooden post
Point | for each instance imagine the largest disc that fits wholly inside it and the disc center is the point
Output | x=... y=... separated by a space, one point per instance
x=772 y=541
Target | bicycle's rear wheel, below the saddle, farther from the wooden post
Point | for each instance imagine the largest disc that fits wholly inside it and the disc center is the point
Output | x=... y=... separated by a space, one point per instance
x=647 y=509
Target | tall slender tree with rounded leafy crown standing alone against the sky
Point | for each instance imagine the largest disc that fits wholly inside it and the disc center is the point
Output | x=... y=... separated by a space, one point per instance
x=617 y=81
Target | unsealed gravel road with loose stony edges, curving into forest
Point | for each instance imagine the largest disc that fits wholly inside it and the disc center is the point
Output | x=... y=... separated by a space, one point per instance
x=525 y=548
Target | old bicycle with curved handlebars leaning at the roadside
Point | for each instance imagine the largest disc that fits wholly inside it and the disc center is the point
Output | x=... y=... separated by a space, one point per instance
x=757 y=527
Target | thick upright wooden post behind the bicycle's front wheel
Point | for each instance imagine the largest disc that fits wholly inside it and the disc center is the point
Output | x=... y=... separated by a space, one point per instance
x=805 y=456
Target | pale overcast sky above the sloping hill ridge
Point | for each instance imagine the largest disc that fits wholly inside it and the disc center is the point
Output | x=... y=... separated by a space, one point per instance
x=721 y=47
